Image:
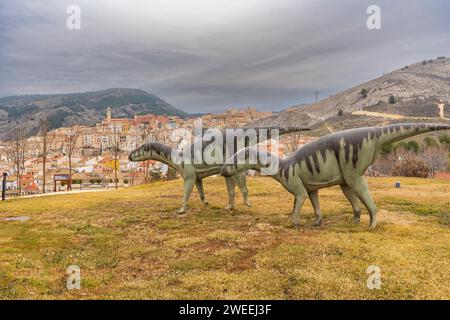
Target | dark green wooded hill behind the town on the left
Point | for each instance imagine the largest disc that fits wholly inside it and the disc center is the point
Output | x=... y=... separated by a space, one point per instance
x=85 y=108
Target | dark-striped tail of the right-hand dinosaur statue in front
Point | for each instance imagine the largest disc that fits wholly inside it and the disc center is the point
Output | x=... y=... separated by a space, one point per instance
x=396 y=132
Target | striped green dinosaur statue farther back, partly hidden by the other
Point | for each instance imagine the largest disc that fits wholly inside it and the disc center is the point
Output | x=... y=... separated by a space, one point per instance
x=193 y=173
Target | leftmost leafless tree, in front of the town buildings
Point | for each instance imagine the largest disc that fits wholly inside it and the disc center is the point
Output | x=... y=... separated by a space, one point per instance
x=16 y=151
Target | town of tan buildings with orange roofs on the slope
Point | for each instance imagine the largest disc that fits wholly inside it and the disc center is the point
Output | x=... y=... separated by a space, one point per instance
x=82 y=156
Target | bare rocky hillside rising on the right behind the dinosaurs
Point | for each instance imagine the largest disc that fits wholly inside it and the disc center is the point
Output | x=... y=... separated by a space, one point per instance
x=418 y=92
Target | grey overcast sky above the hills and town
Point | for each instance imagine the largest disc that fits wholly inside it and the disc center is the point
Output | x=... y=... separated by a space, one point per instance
x=209 y=55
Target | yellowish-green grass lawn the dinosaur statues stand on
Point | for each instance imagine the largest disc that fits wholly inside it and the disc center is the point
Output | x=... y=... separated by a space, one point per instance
x=130 y=244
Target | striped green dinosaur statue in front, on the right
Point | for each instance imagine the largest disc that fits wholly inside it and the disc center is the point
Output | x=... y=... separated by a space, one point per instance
x=340 y=159
